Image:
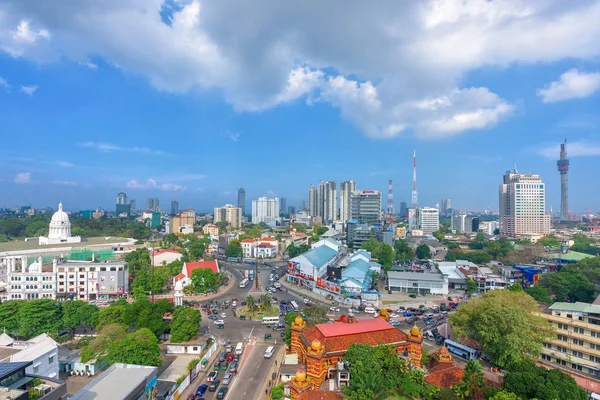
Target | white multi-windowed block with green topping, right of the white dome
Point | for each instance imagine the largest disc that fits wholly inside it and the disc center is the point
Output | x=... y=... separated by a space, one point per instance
x=92 y=281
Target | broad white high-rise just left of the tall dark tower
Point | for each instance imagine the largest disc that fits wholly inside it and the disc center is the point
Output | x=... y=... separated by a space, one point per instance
x=522 y=199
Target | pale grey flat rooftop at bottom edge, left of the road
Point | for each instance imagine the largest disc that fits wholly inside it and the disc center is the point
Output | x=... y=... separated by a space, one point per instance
x=116 y=383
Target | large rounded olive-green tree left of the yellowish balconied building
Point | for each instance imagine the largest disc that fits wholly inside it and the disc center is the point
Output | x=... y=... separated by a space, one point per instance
x=505 y=323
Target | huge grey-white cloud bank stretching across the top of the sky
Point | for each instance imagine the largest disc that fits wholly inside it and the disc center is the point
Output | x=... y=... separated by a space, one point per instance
x=386 y=68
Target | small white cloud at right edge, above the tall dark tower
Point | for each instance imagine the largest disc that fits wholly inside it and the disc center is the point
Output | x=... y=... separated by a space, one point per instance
x=572 y=84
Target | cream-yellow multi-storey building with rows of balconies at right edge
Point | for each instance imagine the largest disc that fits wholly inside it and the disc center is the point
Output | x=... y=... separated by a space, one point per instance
x=577 y=342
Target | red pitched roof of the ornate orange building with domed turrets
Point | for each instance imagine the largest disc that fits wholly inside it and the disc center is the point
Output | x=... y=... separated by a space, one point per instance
x=341 y=335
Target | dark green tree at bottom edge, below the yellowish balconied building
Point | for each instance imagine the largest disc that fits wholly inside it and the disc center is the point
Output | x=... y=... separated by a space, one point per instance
x=529 y=381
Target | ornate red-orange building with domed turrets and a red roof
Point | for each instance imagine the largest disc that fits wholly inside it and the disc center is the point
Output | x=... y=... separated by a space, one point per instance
x=320 y=347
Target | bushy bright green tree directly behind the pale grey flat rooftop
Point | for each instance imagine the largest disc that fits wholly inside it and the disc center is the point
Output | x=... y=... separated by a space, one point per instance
x=139 y=347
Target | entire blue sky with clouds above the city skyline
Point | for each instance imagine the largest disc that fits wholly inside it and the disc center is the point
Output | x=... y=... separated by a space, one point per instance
x=193 y=101
